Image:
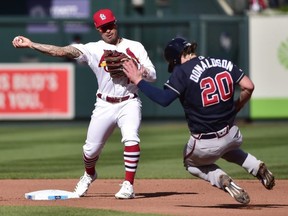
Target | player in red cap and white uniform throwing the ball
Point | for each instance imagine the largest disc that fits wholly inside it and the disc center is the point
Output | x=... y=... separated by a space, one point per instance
x=117 y=101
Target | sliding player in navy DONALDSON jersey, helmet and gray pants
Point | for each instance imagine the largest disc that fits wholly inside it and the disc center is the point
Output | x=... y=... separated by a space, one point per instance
x=205 y=88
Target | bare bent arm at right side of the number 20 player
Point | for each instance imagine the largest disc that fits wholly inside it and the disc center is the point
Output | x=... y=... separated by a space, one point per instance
x=247 y=88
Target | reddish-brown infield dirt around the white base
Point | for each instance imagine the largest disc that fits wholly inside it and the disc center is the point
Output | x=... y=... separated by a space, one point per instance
x=161 y=196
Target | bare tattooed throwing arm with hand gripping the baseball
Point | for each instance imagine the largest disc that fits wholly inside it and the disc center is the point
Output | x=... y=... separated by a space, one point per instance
x=67 y=51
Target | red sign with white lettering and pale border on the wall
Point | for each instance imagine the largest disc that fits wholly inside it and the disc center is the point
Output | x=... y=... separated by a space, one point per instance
x=36 y=91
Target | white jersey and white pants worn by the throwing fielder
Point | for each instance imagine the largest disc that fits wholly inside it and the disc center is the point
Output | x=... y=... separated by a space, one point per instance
x=106 y=116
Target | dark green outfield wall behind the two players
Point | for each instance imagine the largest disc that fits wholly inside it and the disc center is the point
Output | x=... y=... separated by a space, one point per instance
x=217 y=35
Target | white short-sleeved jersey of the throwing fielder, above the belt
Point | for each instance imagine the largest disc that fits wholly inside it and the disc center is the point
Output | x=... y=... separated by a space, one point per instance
x=93 y=55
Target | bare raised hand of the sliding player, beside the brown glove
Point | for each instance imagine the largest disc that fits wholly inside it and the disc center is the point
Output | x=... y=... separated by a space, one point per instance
x=132 y=72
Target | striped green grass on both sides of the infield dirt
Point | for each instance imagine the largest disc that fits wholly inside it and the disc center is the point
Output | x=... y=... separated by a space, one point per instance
x=54 y=150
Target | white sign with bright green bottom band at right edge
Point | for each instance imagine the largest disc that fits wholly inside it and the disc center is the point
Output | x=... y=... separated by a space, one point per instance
x=268 y=38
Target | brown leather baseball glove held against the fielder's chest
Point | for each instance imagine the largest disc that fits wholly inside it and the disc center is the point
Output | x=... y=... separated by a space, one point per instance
x=114 y=63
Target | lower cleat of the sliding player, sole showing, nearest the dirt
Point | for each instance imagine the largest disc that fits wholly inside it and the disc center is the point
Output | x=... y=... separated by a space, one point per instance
x=239 y=194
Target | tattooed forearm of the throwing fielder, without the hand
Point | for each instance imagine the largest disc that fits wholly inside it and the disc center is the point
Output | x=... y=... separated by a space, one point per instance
x=67 y=51
